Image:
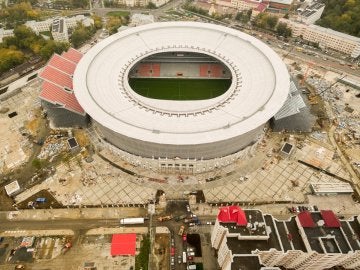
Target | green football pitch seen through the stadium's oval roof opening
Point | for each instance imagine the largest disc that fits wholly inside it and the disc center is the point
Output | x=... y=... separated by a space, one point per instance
x=179 y=89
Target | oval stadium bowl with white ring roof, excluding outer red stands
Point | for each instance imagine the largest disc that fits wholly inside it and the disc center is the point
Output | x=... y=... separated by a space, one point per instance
x=181 y=90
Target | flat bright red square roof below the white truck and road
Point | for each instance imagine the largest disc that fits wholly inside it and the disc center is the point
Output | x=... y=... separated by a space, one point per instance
x=123 y=244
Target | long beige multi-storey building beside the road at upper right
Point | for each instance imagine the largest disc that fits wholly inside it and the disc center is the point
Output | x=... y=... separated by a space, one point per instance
x=327 y=38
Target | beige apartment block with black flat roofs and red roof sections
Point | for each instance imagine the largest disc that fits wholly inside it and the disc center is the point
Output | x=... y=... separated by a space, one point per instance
x=310 y=240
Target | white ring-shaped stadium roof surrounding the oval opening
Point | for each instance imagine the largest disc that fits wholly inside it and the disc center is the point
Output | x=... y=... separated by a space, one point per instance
x=102 y=88
